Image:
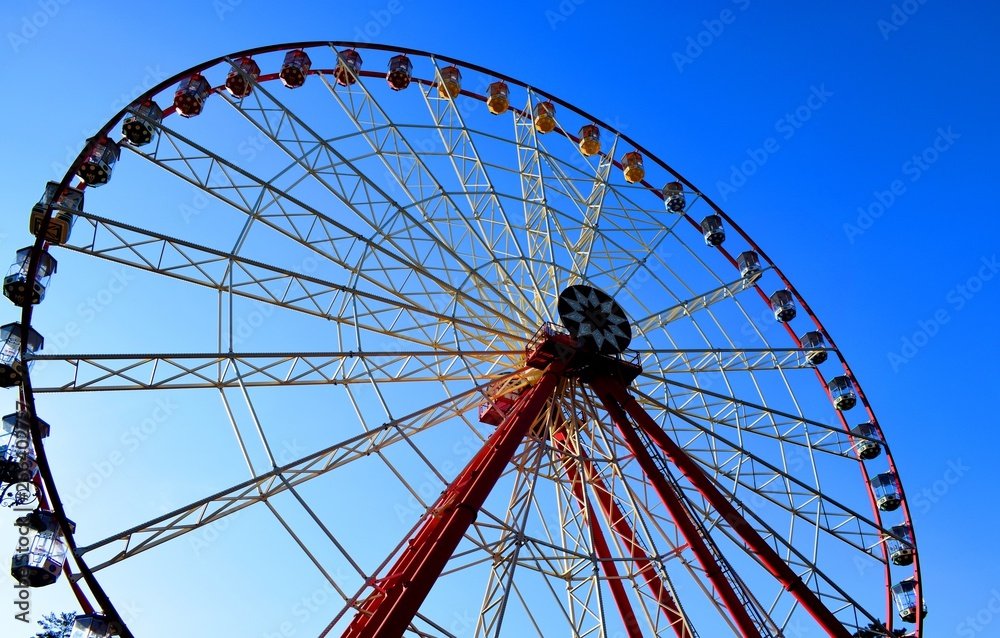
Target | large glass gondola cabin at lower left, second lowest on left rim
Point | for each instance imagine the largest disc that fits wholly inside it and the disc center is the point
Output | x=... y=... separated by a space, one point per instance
x=39 y=560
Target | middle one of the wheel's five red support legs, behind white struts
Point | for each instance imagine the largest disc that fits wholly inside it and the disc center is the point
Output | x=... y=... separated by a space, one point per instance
x=619 y=523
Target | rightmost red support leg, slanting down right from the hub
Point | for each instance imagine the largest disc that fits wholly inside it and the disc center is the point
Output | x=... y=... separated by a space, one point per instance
x=613 y=390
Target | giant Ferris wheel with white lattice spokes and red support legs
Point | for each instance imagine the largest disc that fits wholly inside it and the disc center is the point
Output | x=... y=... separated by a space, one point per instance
x=374 y=342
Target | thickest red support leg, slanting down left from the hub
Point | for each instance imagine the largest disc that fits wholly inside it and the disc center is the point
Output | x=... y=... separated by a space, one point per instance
x=390 y=608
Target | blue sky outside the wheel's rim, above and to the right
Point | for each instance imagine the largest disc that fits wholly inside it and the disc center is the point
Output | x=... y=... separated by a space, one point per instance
x=853 y=143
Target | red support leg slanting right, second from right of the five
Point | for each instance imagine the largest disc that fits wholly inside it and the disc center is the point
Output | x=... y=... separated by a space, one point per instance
x=677 y=510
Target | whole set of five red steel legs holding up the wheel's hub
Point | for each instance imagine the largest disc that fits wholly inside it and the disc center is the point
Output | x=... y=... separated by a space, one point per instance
x=397 y=596
